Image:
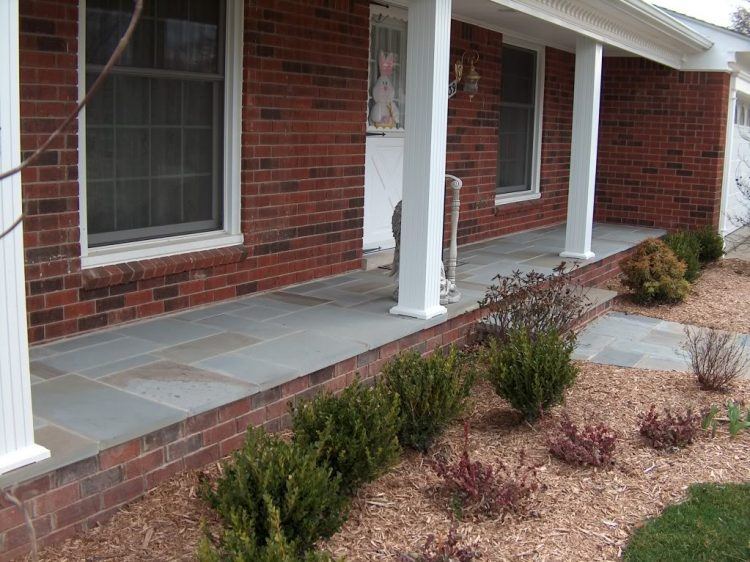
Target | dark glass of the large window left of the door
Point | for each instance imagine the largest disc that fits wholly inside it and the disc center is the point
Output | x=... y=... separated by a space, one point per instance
x=153 y=133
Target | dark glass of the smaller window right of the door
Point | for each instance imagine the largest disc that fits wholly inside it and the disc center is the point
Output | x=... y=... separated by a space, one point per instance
x=517 y=120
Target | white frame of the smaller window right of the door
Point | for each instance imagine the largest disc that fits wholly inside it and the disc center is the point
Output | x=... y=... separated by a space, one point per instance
x=536 y=152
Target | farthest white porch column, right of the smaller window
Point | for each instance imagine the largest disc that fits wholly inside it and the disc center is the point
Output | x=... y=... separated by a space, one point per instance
x=586 y=96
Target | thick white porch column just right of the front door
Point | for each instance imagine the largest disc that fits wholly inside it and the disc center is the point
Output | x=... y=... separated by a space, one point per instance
x=427 y=78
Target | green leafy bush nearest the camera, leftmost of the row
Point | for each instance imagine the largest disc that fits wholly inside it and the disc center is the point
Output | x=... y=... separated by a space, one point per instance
x=272 y=483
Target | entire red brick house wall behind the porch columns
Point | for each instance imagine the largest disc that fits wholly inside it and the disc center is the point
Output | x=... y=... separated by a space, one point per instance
x=303 y=150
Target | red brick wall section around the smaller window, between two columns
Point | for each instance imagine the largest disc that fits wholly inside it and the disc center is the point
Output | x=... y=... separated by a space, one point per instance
x=472 y=142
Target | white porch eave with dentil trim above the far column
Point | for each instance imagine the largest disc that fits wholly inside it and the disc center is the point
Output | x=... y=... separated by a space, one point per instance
x=630 y=25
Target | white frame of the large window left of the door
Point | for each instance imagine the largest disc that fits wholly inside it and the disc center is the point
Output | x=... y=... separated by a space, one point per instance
x=231 y=233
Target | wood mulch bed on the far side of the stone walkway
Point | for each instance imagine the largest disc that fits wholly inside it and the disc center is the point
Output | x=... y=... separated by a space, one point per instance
x=720 y=298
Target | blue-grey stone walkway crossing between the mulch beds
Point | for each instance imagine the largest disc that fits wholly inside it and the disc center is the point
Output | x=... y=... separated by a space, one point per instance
x=631 y=340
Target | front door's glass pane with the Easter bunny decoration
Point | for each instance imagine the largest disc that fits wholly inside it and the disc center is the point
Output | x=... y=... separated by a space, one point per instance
x=387 y=88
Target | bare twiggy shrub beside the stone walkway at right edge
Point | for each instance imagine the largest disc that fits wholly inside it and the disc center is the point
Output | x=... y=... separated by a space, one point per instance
x=717 y=358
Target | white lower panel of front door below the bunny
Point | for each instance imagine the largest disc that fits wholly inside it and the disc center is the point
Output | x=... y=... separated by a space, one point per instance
x=384 y=164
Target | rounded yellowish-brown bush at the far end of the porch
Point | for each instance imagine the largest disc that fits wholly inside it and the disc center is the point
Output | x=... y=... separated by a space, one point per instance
x=654 y=273
